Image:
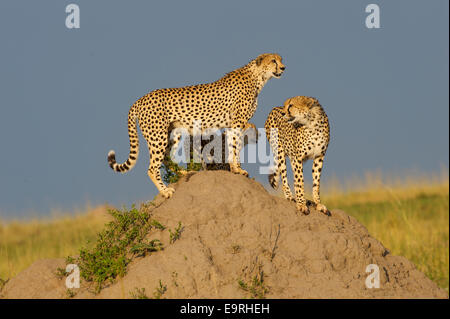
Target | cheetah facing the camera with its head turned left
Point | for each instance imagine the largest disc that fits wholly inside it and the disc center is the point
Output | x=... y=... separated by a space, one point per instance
x=299 y=130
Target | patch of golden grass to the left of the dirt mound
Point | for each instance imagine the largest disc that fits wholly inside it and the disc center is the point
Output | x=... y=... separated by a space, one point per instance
x=23 y=242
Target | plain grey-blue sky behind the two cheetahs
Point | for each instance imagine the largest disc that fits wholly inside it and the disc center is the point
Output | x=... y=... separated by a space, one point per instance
x=65 y=93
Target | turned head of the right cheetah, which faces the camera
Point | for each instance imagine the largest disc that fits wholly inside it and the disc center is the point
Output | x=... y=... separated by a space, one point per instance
x=300 y=110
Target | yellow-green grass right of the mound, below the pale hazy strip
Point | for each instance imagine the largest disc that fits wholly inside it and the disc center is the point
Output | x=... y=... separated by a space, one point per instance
x=416 y=227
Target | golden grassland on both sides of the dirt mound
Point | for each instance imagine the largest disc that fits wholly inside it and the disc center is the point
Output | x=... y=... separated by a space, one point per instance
x=409 y=216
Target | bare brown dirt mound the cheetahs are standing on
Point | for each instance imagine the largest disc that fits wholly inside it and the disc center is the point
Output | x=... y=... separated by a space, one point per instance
x=239 y=241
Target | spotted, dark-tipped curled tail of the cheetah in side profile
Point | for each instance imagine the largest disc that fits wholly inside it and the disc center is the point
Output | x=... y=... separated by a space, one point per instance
x=134 y=146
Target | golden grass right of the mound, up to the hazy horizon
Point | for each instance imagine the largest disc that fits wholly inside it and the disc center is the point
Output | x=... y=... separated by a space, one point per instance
x=410 y=216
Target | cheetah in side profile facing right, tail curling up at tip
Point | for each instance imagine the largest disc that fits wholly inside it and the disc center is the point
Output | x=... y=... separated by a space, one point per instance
x=227 y=103
